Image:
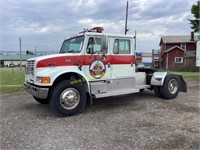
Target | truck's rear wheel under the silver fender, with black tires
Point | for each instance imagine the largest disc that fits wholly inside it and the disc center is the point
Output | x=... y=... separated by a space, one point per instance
x=170 y=88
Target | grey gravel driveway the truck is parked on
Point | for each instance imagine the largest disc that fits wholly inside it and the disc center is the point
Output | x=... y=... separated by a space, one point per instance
x=136 y=121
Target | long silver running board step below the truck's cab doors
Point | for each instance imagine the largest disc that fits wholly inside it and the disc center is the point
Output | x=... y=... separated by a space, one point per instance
x=116 y=93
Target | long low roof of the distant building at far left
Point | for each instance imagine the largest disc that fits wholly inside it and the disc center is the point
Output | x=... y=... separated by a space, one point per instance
x=15 y=57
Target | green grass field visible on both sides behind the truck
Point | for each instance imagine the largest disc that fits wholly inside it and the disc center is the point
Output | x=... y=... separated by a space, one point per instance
x=12 y=81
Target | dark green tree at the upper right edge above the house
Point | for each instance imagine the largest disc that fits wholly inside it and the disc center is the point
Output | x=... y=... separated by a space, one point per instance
x=195 y=12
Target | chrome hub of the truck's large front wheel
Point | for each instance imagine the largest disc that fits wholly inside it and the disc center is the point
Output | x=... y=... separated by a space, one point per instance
x=69 y=98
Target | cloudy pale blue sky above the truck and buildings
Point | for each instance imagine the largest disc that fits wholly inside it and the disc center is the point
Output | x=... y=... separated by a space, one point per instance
x=44 y=24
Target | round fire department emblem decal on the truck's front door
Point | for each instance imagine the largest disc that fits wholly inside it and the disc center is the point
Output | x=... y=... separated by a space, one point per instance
x=97 y=69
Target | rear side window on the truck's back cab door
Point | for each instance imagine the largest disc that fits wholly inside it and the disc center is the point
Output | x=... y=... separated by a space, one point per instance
x=121 y=46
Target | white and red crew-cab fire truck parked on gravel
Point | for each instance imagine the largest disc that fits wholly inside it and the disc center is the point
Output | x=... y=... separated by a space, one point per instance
x=92 y=65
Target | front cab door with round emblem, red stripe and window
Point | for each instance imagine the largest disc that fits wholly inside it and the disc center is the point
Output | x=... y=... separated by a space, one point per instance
x=96 y=59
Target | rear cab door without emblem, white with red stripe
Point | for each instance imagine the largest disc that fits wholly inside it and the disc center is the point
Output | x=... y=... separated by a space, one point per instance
x=122 y=58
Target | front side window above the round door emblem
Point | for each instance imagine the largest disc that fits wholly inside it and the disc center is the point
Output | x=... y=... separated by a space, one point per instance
x=94 y=45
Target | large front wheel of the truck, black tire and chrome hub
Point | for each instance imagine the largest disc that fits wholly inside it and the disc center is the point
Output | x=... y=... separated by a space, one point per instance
x=68 y=98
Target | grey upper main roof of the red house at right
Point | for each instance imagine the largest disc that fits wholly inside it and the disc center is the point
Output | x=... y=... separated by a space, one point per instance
x=177 y=39
